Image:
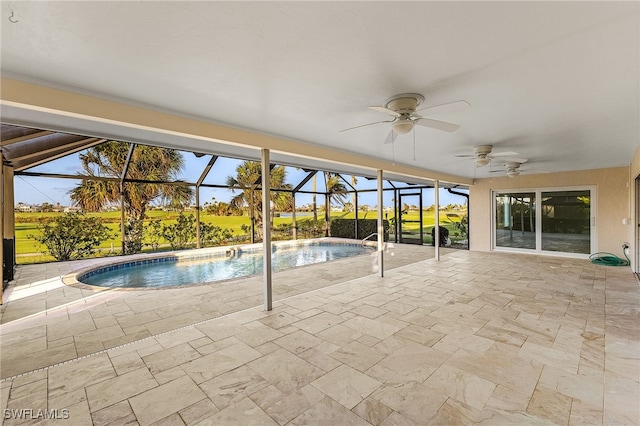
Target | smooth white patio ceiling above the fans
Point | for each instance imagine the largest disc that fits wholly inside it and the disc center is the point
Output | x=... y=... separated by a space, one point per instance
x=556 y=82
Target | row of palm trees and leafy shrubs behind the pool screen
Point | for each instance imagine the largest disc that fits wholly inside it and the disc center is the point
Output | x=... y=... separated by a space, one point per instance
x=74 y=235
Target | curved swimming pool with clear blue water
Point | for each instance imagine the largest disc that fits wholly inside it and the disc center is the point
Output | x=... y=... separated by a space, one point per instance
x=221 y=263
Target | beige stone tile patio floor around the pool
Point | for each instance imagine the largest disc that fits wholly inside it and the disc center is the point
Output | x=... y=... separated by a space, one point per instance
x=477 y=338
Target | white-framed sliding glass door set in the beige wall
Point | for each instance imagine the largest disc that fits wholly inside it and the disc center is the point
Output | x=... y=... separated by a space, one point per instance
x=545 y=220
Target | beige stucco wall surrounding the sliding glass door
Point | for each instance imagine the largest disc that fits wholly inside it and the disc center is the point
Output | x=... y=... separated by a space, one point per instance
x=613 y=195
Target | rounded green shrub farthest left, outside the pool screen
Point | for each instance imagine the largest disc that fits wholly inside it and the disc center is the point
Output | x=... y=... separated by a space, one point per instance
x=71 y=236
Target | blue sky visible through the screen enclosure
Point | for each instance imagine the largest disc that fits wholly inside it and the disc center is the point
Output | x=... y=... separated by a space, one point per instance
x=38 y=190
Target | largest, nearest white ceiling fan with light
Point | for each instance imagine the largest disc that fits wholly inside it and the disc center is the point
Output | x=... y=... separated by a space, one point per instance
x=403 y=110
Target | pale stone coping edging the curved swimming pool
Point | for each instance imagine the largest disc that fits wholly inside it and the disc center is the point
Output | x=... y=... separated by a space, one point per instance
x=72 y=279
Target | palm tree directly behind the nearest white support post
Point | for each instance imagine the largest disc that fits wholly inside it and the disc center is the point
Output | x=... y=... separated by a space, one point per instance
x=247 y=179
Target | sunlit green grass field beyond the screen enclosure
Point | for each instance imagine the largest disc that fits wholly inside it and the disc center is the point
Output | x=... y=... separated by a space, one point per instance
x=29 y=250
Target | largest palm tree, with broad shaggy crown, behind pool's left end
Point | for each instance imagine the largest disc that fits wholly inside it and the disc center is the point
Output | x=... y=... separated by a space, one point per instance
x=147 y=163
